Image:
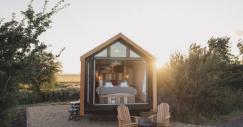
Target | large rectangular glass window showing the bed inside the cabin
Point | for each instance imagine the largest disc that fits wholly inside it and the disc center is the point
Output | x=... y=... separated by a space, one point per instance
x=120 y=82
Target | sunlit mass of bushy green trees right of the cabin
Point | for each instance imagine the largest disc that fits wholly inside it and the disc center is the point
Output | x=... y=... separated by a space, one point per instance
x=204 y=83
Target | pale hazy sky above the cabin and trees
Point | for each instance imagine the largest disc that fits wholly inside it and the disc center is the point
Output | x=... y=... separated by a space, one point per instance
x=162 y=27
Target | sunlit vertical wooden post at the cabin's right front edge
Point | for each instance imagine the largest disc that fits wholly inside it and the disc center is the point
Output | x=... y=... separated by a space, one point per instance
x=154 y=88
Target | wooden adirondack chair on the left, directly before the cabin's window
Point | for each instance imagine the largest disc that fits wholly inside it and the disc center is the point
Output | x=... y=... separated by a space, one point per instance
x=124 y=118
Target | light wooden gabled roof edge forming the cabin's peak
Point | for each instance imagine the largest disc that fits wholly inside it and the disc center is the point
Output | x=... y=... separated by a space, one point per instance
x=112 y=40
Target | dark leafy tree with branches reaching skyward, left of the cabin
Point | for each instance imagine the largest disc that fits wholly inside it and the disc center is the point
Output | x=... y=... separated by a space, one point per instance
x=21 y=51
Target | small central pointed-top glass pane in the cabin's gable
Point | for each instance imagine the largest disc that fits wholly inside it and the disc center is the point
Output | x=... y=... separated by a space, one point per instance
x=118 y=50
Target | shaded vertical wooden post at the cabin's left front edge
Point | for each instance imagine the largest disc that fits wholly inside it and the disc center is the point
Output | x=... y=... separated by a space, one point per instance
x=82 y=83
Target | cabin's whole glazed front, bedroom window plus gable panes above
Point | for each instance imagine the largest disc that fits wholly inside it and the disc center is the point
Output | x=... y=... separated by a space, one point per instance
x=120 y=76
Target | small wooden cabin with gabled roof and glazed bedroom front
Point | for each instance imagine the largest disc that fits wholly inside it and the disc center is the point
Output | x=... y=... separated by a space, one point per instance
x=117 y=71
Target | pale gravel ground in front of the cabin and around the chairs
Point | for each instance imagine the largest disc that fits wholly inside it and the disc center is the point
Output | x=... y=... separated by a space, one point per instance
x=57 y=116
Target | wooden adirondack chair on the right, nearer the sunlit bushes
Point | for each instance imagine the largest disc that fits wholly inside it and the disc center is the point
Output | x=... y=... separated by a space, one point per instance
x=162 y=118
